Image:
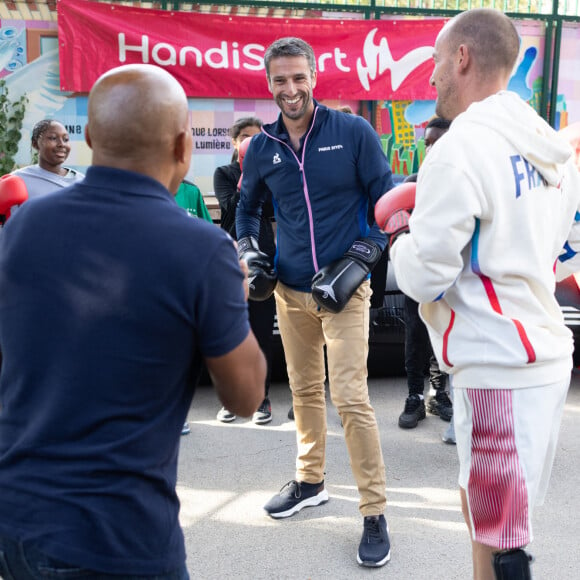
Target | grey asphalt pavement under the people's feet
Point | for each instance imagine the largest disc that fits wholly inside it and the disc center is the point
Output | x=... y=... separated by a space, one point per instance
x=228 y=471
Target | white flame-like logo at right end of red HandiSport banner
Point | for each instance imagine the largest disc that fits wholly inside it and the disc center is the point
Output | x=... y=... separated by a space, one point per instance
x=378 y=59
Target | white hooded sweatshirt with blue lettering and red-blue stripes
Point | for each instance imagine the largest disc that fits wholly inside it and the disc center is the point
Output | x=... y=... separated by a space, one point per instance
x=498 y=198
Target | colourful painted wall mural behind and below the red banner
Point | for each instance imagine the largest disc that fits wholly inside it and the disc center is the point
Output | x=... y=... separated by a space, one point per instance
x=29 y=65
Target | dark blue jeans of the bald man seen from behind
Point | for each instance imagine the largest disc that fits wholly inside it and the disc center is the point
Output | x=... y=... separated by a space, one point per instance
x=22 y=561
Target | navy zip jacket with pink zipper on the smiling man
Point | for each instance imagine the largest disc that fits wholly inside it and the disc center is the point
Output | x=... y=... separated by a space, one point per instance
x=321 y=195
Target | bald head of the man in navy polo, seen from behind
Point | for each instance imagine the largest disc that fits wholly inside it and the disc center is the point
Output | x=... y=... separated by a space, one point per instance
x=137 y=117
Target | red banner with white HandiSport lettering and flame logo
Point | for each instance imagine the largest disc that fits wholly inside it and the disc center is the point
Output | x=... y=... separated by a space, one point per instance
x=222 y=56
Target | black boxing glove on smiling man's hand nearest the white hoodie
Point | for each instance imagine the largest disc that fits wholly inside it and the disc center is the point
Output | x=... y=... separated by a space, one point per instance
x=334 y=285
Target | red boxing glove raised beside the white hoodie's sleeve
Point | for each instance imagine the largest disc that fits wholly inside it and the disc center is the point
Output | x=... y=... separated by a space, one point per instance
x=393 y=210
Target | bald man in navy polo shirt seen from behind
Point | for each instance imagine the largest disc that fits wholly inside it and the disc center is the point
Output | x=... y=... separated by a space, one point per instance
x=105 y=322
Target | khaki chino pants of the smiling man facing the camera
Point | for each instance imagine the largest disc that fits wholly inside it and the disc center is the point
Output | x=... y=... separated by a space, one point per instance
x=305 y=329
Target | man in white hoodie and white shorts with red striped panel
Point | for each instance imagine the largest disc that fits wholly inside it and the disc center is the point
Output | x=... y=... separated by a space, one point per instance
x=496 y=214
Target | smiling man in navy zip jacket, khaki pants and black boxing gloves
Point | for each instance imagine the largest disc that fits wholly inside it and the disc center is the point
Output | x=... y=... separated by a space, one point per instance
x=323 y=170
